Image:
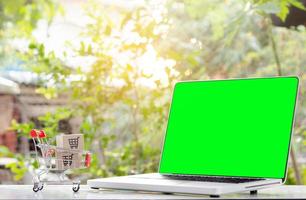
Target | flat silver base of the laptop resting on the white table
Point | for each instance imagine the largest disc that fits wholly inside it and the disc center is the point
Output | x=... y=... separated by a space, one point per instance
x=158 y=183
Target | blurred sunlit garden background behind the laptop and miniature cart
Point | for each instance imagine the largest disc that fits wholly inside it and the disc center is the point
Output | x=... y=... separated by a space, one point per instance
x=106 y=69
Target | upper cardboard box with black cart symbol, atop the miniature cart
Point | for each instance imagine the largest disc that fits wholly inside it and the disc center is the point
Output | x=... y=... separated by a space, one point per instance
x=71 y=141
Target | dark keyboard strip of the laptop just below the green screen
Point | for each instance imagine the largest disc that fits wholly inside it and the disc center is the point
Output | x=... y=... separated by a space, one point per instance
x=213 y=179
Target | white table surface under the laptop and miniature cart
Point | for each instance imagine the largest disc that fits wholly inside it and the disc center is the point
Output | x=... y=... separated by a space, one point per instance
x=65 y=192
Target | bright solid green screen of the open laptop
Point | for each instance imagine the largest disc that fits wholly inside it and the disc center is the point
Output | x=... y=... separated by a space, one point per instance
x=239 y=127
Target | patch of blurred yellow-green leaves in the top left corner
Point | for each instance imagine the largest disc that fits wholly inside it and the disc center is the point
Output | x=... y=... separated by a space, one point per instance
x=18 y=19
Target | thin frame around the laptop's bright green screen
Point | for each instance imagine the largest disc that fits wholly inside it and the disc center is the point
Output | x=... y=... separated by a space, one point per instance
x=238 y=79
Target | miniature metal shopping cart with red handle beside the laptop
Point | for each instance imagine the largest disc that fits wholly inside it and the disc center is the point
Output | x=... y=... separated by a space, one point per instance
x=52 y=159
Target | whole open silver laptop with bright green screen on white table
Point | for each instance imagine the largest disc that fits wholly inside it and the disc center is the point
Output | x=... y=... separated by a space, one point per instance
x=223 y=136
